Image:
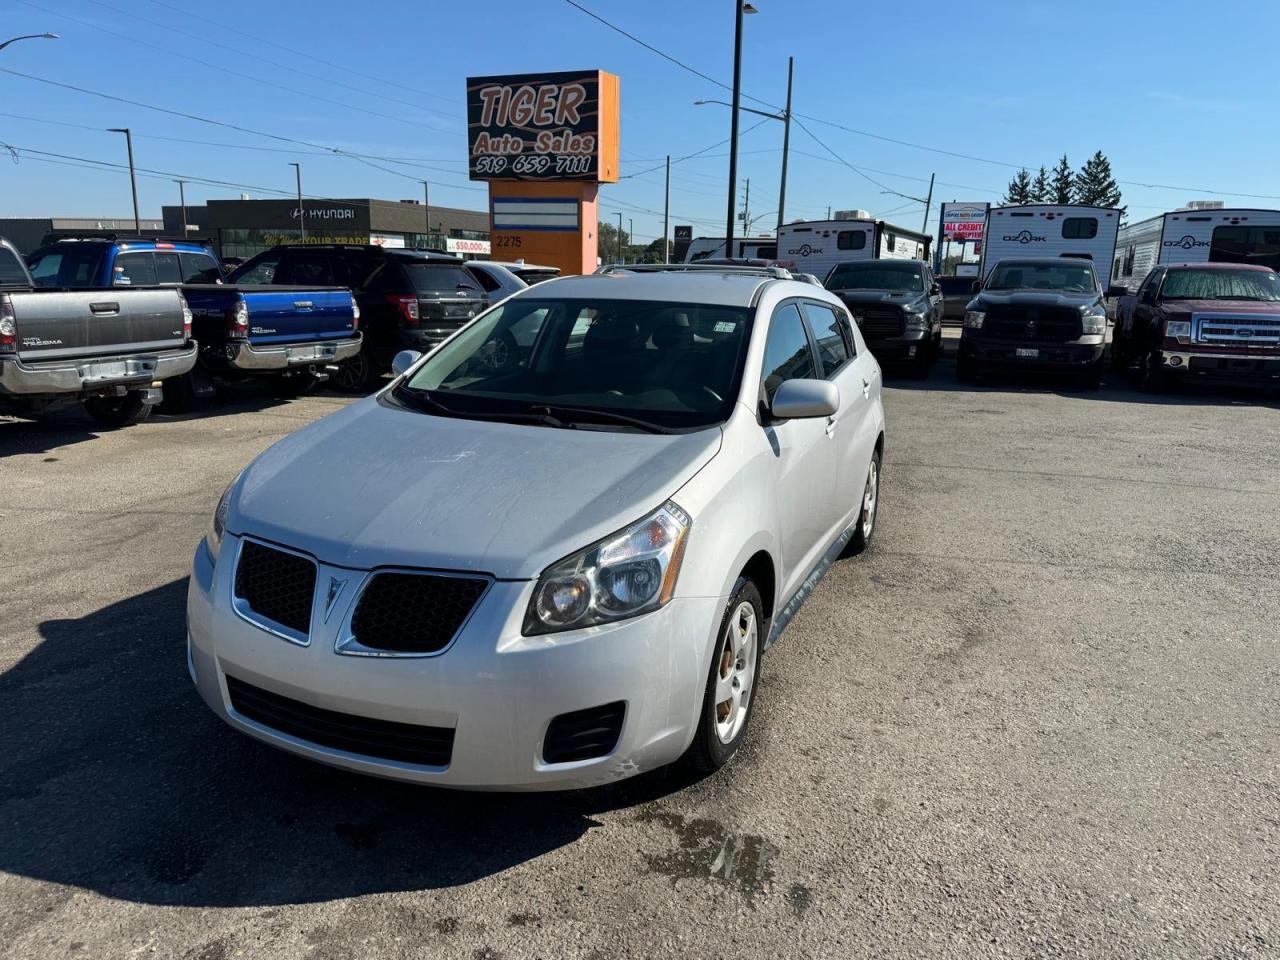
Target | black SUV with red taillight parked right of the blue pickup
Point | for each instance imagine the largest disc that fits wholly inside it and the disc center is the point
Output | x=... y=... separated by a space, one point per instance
x=409 y=300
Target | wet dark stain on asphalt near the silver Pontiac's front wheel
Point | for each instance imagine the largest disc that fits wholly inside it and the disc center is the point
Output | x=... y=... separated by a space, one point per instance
x=708 y=851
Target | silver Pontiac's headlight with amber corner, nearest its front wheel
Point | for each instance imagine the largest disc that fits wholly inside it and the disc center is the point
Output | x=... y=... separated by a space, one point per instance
x=630 y=573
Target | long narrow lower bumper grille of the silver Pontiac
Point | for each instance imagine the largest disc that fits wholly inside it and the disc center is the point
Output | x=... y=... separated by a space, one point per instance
x=386 y=740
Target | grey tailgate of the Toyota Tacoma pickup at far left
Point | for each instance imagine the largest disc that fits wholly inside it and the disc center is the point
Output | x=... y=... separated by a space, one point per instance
x=68 y=324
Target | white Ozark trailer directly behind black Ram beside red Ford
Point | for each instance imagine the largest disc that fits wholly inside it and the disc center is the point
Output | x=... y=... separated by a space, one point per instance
x=1052 y=231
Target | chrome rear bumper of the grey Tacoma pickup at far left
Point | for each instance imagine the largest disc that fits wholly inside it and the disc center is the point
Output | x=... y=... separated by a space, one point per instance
x=92 y=376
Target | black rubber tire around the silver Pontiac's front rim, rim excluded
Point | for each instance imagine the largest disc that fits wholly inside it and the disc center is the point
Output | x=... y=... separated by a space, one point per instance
x=710 y=751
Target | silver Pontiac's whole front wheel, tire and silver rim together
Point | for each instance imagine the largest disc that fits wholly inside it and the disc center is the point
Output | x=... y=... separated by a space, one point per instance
x=732 y=682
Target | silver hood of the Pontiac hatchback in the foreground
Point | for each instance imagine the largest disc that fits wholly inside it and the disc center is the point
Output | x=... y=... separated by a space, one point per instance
x=380 y=486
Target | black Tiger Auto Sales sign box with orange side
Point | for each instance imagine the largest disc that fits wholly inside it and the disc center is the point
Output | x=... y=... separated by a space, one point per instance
x=545 y=127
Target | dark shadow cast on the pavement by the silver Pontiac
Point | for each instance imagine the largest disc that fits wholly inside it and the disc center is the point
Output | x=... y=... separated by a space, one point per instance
x=117 y=779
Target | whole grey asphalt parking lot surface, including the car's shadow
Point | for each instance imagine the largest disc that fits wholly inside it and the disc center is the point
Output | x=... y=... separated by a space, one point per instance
x=1039 y=720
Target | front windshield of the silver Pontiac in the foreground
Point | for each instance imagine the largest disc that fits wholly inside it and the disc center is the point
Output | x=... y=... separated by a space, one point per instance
x=591 y=364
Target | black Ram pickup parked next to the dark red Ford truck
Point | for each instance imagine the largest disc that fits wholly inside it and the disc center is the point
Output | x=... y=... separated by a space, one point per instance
x=1041 y=314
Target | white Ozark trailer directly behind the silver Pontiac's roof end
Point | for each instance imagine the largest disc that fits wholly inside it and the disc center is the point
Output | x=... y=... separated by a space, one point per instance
x=817 y=246
